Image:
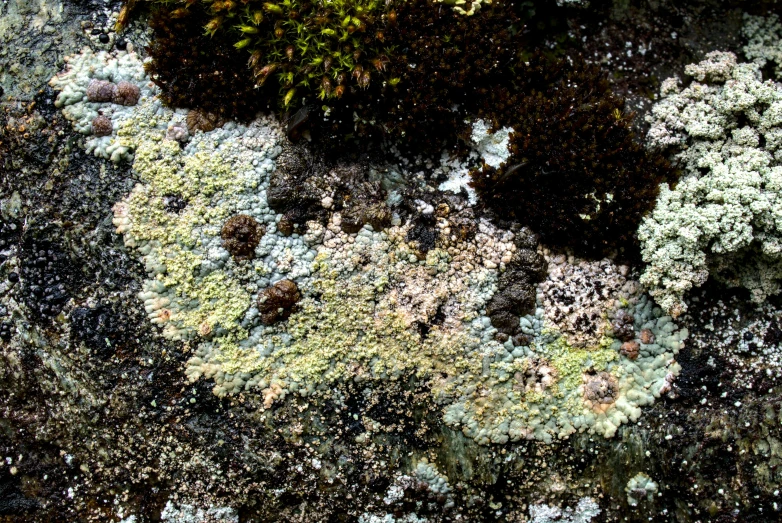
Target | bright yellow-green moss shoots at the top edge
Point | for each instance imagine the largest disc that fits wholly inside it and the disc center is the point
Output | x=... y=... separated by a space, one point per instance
x=311 y=48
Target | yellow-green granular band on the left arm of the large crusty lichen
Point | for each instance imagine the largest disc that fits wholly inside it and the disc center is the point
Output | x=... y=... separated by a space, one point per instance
x=214 y=299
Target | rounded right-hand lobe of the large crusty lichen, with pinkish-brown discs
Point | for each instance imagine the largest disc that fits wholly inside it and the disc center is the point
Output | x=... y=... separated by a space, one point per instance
x=548 y=387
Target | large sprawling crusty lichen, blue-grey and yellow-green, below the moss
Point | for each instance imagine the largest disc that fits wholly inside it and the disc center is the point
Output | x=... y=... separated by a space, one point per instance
x=372 y=304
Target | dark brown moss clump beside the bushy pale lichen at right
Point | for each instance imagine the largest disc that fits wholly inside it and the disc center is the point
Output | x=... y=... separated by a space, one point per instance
x=576 y=175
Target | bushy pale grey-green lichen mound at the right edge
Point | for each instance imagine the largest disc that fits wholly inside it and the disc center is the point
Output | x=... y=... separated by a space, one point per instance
x=724 y=217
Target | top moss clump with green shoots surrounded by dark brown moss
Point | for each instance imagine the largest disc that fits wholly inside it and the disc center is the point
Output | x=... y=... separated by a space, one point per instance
x=381 y=69
